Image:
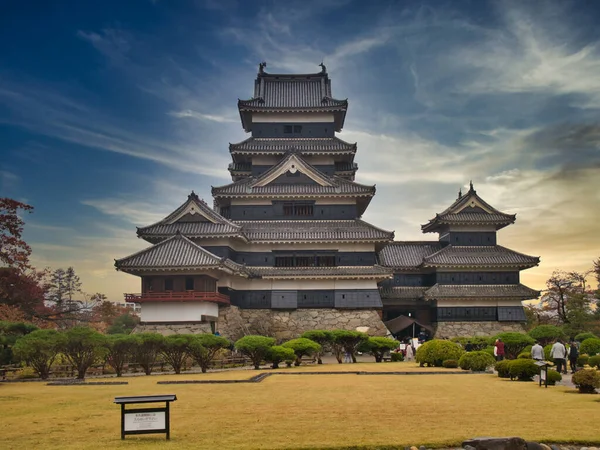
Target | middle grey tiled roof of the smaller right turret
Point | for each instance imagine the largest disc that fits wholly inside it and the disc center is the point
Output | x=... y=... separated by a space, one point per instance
x=479 y=256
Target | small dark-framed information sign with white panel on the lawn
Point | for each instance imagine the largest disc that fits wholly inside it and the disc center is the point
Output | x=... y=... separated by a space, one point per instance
x=145 y=420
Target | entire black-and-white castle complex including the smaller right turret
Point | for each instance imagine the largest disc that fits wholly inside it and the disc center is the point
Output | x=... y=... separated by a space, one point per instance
x=284 y=246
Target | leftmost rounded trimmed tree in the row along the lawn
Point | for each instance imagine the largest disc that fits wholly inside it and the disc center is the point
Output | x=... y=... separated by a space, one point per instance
x=39 y=349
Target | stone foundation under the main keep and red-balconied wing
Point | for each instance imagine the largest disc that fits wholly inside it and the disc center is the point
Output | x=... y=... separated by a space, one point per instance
x=233 y=323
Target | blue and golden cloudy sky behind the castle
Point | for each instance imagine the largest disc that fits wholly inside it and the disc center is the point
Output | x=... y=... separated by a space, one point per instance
x=112 y=112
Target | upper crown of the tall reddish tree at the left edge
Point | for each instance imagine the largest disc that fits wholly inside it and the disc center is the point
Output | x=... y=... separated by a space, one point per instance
x=14 y=251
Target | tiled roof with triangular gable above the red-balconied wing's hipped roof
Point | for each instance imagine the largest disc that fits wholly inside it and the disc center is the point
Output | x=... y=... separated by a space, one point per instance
x=209 y=222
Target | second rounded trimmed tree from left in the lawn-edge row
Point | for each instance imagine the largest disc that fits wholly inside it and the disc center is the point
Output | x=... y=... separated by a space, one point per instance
x=83 y=347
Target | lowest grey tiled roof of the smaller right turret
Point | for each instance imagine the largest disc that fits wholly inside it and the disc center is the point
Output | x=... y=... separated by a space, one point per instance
x=515 y=291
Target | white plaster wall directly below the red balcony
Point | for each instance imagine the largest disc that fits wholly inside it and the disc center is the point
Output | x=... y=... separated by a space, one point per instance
x=177 y=311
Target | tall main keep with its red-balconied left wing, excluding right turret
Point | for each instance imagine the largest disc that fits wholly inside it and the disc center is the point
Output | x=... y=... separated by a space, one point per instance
x=284 y=243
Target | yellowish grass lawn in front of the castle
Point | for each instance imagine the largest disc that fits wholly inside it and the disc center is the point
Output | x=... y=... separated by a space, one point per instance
x=295 y=411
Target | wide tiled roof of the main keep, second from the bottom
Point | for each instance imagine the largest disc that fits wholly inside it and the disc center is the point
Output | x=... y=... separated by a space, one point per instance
x=313 y=231
